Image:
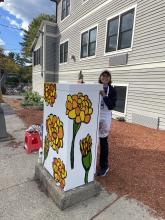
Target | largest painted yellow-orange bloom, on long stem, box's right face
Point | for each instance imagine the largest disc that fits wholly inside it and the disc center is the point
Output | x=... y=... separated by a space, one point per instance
x=79 y=108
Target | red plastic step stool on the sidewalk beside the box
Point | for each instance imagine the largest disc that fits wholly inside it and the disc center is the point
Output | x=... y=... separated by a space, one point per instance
x=32 y=142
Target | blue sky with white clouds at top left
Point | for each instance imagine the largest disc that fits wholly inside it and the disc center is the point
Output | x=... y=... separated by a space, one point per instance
x=19 y=14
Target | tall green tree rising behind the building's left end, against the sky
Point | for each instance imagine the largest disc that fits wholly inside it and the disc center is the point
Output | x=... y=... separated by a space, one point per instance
x=30 y=35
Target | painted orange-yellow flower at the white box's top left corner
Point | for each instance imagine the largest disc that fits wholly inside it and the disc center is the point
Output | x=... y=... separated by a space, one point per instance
x=50 y=93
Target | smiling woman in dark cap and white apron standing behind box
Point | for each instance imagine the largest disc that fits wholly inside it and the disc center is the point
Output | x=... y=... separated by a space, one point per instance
x=108 y=101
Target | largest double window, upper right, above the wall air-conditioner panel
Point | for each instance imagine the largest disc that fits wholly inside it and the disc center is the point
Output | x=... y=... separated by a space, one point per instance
x=119 y=31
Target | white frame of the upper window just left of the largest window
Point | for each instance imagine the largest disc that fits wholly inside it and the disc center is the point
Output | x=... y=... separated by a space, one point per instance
x=95 y=26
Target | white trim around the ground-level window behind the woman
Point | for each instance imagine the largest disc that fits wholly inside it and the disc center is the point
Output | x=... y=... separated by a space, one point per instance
x=120 y=114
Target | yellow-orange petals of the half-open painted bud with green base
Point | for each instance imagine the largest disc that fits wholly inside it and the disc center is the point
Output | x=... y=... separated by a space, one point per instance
x=86 y=145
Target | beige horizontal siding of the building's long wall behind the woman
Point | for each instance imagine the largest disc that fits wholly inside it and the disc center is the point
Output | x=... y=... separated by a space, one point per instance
x=144 y=72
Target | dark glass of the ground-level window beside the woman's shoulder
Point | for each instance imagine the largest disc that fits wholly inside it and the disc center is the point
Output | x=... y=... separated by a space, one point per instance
x=121 y=98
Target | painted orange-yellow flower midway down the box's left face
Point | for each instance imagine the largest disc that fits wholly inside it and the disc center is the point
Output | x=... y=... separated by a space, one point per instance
x=55 y=132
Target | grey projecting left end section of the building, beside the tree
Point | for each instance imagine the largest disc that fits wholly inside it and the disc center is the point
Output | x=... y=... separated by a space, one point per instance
x=49 y=68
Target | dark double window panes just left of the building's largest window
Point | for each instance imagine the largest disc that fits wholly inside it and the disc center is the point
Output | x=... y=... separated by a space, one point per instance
x=88 y=43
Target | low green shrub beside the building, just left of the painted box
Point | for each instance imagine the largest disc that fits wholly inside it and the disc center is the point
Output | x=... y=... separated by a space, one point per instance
x=32 y=99
